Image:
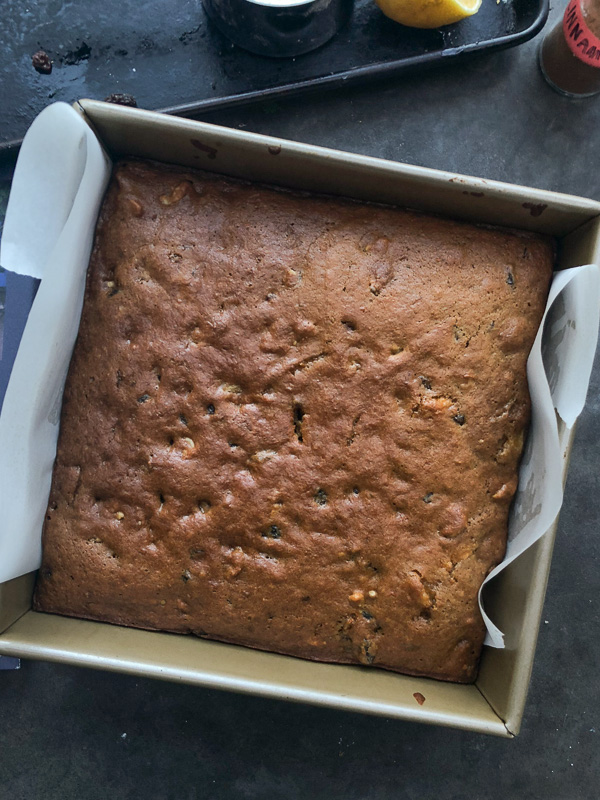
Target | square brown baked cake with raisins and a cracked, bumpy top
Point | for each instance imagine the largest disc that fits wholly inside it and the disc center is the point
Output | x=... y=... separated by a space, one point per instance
x=292 y=422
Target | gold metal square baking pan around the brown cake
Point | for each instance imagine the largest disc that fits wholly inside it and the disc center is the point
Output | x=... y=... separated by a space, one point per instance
x=495 y=702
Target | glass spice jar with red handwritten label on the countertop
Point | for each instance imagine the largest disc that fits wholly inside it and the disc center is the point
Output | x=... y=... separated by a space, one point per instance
x=570 y=53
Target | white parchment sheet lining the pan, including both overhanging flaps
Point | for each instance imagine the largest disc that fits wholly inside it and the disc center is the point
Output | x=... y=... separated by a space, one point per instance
x=59 y=182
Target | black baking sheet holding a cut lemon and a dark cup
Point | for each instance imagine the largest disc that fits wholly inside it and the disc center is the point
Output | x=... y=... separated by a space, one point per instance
x=170 y=56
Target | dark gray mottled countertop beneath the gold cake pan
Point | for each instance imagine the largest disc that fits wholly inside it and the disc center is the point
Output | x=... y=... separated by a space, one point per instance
x=73 y=734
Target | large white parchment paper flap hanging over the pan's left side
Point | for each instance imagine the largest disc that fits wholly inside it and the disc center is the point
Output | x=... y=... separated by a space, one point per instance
x=58 y=185
